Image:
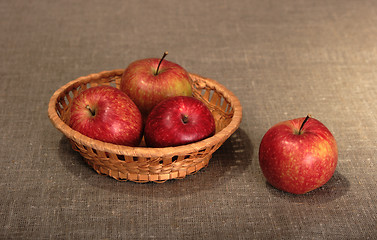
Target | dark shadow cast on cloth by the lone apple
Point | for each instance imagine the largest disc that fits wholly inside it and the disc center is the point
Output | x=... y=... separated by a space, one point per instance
x=337 y=186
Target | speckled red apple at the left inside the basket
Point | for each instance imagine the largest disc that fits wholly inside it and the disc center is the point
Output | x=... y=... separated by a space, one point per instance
x=116 y=120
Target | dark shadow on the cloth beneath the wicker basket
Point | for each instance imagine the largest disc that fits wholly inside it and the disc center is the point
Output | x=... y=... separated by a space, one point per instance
x=231 y=159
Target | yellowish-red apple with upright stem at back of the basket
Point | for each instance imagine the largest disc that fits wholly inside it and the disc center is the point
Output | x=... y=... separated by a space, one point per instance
x=146 y=89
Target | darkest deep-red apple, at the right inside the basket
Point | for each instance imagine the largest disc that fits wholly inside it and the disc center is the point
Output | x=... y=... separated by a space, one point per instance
x=165 y=126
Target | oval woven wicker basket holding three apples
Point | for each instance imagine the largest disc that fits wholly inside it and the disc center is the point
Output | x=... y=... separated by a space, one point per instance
x=145 y=164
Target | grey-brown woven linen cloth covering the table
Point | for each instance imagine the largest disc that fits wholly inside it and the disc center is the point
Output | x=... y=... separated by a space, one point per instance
x=282 y=59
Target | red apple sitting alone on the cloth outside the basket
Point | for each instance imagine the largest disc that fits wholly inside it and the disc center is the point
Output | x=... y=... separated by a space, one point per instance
x=298 y=163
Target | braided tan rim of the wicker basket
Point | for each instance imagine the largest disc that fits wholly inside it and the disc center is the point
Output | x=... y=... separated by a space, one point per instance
x=143 y=151
